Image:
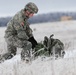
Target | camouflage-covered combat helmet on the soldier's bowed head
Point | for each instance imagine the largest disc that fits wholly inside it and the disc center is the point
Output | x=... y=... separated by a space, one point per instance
x=31 y=7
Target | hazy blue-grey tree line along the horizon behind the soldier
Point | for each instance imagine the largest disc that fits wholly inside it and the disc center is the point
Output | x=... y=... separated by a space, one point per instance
x=41 y=18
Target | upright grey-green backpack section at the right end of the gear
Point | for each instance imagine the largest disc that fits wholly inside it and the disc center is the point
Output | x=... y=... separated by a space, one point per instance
x=54 y=46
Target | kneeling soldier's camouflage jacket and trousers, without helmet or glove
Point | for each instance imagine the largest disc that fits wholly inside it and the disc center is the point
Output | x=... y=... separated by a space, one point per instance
x=17 y=34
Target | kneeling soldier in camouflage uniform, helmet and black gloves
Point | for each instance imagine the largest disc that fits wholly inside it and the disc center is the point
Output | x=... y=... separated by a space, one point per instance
x=19 y=34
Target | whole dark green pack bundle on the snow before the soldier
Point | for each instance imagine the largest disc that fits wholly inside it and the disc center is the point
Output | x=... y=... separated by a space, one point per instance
x=50 y=47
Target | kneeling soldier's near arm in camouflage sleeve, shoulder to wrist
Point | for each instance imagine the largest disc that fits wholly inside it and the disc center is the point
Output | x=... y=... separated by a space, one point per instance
x=21 y=34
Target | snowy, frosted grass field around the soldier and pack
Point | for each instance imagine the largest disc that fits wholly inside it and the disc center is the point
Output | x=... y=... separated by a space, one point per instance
x=65 y=31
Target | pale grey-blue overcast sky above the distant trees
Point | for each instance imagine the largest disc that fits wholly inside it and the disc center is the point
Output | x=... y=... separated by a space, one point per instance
x=10 y=7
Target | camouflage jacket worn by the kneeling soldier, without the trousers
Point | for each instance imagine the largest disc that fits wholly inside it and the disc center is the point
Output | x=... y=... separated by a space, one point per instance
x=18 y=26
